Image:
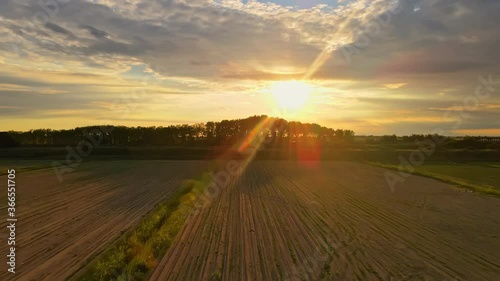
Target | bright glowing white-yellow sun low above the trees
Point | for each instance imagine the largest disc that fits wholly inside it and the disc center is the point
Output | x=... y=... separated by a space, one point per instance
x=291 y=95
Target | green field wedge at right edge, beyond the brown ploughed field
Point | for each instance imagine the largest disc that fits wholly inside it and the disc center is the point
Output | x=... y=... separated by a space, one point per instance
x=480 y=177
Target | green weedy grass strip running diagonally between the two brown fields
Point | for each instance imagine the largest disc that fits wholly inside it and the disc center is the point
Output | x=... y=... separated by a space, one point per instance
x=136 y=253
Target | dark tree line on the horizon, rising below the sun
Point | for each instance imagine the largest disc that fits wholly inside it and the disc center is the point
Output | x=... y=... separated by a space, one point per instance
x=224 y=132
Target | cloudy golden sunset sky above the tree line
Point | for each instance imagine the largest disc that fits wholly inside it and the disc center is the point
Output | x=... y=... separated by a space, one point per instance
x=375 y=67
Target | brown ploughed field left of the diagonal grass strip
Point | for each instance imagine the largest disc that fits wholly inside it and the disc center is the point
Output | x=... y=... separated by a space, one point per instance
x=60 y=225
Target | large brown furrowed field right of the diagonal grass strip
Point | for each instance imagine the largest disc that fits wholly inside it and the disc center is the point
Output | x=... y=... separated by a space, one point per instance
x=337 y=221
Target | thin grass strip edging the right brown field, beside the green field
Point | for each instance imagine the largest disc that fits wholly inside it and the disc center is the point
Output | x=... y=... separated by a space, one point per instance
x=479 y=188
